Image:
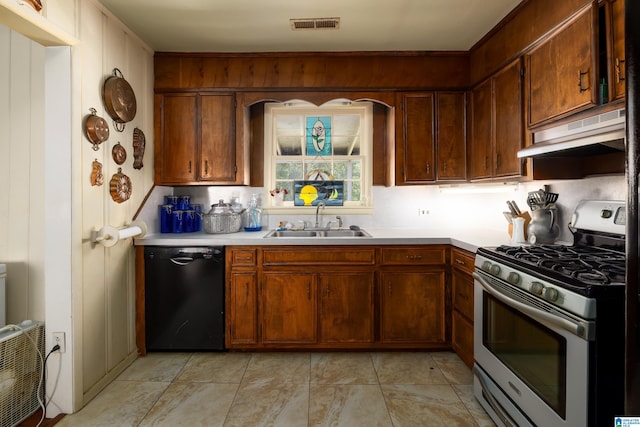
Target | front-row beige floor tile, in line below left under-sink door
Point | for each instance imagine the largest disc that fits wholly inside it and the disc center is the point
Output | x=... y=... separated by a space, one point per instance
x=270 y=404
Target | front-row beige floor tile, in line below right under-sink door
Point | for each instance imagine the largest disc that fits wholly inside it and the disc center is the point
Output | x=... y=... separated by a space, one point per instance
x=347 y=405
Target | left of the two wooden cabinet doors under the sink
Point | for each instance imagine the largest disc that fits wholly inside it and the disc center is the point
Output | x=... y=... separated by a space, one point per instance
x=289 y=308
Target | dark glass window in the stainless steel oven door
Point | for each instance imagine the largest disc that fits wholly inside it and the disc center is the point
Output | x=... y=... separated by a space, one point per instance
x=533 y=352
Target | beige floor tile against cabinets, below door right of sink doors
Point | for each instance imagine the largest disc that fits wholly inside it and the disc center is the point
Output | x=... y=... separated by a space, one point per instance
x=407 y=368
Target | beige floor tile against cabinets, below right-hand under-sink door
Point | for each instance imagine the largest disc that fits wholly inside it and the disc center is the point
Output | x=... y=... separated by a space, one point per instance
x=342 y=368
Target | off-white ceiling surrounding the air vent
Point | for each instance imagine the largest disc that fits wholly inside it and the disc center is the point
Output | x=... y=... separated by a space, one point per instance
x=263 y=26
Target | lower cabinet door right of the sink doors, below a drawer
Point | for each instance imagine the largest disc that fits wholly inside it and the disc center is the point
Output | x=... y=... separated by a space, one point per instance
x=412 y=307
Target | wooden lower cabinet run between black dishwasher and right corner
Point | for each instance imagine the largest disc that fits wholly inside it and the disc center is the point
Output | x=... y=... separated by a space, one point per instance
x=341 y=297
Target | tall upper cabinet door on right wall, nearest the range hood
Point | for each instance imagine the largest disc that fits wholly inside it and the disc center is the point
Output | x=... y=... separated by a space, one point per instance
x=508 y=121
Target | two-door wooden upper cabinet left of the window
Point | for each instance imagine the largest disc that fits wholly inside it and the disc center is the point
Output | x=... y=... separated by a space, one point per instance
x=196 y=139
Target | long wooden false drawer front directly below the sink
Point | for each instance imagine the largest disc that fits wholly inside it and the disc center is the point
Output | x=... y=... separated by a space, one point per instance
x=326 y=255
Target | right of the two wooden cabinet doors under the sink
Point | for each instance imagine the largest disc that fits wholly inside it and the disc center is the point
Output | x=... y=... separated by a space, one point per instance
x=346 y=307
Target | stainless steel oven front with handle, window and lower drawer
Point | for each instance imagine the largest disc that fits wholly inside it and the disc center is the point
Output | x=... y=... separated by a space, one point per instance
x=535 y=357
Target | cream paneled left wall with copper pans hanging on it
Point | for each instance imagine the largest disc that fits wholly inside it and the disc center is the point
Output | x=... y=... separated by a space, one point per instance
x=48 y=206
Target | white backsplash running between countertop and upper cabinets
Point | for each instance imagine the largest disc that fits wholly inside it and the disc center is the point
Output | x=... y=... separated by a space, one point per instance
x=397 y=207
